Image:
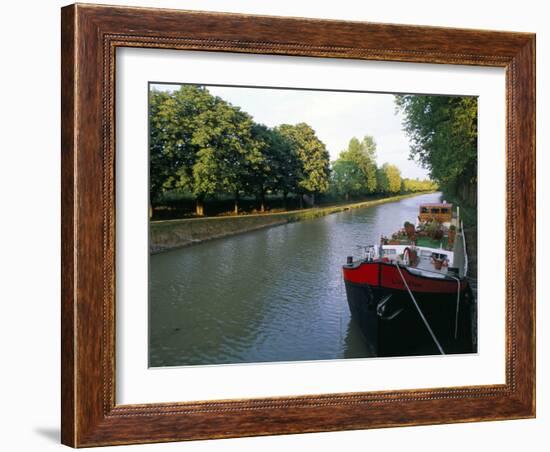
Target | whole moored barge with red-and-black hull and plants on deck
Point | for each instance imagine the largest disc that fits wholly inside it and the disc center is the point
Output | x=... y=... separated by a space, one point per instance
x=410 y=293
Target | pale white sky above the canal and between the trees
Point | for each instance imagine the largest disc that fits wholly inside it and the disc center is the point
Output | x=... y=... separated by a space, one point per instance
x=335 y=116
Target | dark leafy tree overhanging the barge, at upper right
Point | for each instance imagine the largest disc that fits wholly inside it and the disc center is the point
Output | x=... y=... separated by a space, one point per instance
x=443 y=134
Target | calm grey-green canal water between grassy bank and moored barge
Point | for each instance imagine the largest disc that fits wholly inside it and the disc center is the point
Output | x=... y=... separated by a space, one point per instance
x=275 y=294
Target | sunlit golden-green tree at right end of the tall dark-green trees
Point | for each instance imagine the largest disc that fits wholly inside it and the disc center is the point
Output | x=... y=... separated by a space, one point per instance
x=313 y=157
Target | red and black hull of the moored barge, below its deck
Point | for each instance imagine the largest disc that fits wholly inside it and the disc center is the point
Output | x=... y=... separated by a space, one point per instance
x=389 y=320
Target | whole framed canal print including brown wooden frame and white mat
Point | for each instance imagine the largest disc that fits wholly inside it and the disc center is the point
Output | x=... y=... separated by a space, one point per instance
x=280 y=225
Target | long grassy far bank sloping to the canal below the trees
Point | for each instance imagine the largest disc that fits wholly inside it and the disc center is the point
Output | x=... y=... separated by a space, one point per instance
x=170 y=234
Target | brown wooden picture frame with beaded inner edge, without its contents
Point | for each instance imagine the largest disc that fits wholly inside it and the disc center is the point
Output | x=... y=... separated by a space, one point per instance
x=90 y=37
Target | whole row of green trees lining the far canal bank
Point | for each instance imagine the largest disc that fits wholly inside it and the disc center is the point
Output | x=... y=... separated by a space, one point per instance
x=203 y=145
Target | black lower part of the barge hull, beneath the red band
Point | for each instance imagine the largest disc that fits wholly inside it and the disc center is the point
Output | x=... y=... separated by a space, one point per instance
x=392 y=325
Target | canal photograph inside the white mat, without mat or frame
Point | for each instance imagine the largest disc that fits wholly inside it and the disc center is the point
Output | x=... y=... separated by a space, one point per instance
x=290 y=224
